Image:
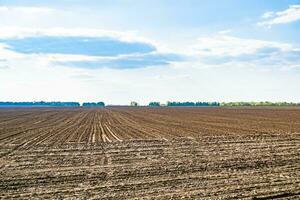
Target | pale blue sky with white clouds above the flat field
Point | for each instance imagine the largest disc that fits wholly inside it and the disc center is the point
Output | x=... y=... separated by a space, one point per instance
x=119 y=51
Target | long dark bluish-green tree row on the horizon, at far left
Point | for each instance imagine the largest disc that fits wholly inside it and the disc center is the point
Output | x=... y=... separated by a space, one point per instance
x=40 y=103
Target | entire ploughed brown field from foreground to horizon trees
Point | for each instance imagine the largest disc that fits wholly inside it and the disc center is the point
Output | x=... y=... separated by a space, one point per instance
x=150 y=153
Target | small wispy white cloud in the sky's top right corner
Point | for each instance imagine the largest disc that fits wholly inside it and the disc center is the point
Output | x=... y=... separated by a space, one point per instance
x=292 y=14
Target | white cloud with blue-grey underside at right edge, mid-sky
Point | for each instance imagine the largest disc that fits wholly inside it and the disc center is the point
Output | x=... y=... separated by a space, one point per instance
x=219 y=50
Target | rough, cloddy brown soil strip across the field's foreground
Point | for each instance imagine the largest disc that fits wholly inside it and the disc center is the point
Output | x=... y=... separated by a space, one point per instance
x=155 y=169
